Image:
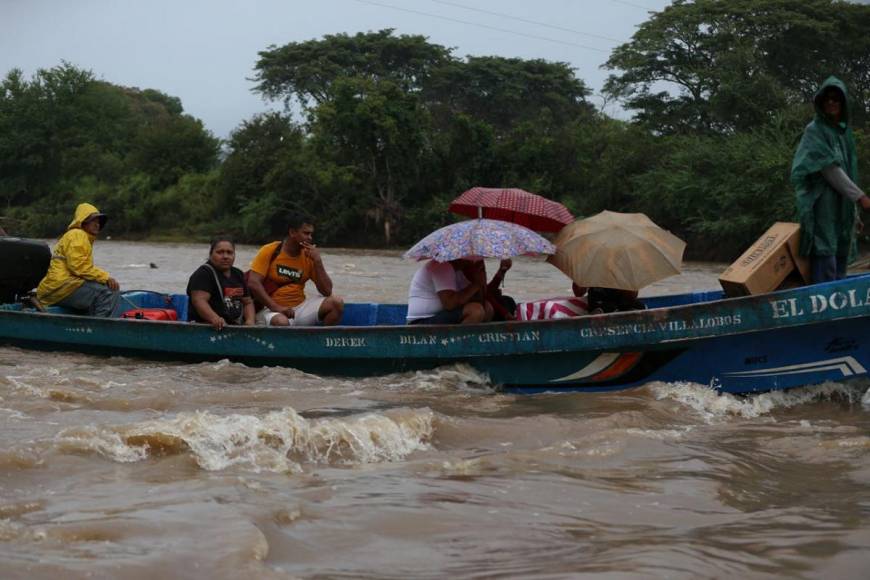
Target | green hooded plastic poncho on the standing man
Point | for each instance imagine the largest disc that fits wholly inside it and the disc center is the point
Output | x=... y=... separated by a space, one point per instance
x=827 y=218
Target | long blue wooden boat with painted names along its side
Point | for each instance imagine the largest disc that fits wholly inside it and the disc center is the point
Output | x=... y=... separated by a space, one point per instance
x=784 y=339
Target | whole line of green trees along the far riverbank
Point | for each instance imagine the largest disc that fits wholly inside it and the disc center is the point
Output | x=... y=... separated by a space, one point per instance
x=381 y=130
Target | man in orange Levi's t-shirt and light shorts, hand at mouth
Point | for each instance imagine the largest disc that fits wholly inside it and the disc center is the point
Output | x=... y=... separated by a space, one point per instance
x=285 y=267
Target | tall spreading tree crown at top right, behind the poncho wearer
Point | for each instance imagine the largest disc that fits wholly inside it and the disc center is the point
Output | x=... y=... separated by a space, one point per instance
x=716 y=65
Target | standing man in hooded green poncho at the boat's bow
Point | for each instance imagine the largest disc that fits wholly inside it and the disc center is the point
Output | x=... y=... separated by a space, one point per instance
x=824 y=173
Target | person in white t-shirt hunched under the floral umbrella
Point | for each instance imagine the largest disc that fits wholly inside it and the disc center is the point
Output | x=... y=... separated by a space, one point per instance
x=448 y=293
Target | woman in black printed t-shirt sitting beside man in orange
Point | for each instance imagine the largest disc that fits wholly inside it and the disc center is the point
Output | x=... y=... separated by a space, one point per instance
x=217 y=290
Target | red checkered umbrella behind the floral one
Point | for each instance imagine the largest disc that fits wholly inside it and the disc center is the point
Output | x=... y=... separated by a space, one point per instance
x=513 y=205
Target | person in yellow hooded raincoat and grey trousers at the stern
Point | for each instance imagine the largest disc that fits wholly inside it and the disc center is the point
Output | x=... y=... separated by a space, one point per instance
x=72 y=280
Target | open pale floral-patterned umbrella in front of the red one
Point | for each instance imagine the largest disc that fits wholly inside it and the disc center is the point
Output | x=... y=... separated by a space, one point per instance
x=476 y=239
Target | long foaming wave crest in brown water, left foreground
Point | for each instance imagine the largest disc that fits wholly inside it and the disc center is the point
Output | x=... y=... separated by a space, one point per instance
x=279 y=441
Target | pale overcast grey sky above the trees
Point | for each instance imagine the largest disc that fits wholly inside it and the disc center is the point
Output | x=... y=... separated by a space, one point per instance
x=203 y=51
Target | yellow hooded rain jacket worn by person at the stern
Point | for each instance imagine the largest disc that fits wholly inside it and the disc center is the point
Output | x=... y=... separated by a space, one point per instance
x=72 y=262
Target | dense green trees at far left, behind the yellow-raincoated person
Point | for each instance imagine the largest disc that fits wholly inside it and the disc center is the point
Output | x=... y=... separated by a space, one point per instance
x=67 y=137
